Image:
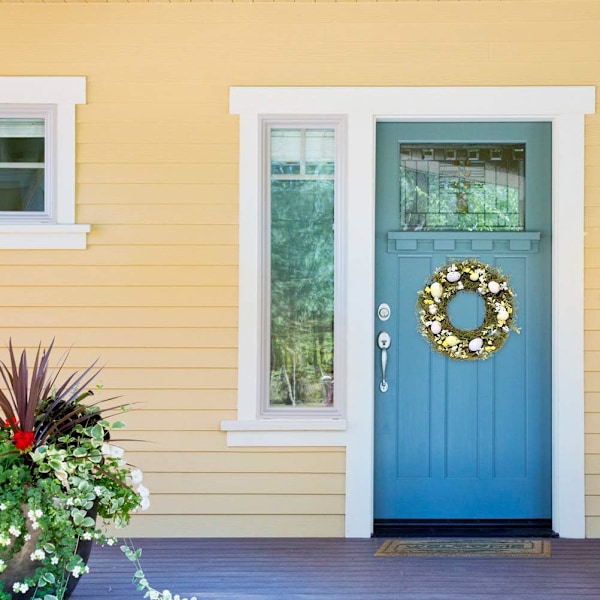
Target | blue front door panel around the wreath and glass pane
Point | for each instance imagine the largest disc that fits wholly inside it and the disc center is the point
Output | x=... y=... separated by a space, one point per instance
x=464 y=439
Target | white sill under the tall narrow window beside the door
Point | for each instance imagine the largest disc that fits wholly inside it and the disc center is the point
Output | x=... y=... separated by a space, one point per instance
x=286 y=432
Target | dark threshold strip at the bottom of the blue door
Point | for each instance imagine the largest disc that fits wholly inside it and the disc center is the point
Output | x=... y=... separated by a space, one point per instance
x=475 y=528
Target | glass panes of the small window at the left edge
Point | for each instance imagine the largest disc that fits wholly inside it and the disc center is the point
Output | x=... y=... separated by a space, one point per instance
x=22 y=167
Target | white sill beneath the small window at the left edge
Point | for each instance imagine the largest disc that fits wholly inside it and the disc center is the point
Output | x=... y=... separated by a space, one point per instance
x=46 y=236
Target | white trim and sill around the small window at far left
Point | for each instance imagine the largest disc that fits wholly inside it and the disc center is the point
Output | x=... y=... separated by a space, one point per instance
x=57 y=96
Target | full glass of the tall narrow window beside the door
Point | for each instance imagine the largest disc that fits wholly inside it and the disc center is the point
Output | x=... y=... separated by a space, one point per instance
x=302 y=194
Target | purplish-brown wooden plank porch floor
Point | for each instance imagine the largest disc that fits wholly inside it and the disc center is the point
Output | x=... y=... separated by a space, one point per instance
x=336 y=569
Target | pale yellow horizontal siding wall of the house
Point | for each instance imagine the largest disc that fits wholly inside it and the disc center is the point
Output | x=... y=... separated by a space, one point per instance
x=155 y=293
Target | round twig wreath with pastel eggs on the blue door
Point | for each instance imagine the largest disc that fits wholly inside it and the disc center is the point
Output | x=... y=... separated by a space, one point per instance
x=466 y=344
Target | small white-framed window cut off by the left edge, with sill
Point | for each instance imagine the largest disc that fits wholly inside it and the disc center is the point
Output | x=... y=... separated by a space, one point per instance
x=37 y=163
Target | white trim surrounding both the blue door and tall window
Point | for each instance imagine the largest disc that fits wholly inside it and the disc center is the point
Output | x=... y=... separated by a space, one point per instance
x=565 y=107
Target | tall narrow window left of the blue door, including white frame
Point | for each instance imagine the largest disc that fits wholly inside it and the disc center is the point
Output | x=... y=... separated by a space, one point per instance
x=291 y=278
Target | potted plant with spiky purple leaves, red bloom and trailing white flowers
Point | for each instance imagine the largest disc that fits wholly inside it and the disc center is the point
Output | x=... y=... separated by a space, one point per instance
x=63 y=480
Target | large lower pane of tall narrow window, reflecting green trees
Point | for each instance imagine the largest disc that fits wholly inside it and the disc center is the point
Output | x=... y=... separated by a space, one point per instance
x=302 y=254
